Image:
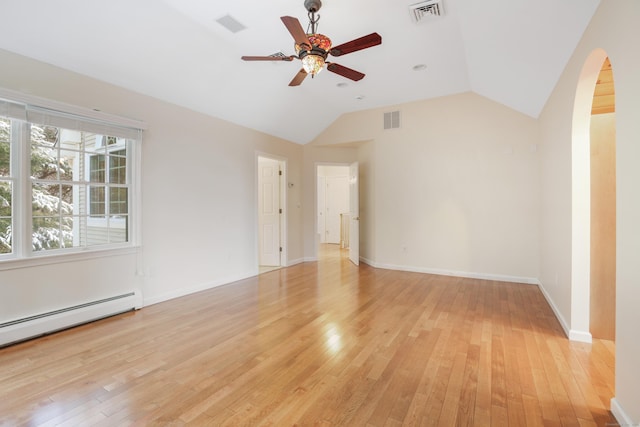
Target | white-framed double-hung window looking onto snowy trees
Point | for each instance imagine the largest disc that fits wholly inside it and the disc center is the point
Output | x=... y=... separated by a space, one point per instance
x=67 y=182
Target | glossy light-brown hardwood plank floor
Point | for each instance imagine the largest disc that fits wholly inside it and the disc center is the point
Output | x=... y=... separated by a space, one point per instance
x=323 y=344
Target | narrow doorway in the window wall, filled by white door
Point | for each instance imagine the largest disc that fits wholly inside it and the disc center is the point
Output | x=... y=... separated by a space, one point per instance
x=271 y=173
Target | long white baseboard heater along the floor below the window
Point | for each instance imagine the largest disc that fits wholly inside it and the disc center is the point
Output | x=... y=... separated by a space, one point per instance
x=45 y=323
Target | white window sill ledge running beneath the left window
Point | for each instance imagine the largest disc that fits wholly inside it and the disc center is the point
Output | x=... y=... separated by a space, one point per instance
x=61 y=258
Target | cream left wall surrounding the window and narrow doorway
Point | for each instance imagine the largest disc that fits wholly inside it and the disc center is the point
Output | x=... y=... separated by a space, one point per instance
x=199 y=214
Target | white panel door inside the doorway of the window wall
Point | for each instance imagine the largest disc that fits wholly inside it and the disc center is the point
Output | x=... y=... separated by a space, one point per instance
x=269 y=211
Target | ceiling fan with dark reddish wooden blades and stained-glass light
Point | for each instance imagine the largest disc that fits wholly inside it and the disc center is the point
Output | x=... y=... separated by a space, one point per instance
x=313 y=48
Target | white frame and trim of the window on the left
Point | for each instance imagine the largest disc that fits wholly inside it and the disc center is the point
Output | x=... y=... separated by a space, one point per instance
x=12 y=105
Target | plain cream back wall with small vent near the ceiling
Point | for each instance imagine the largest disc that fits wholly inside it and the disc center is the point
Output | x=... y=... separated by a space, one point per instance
x=456 y=187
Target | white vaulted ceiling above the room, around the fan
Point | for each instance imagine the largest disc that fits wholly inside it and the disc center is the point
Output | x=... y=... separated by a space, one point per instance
x=510 y=51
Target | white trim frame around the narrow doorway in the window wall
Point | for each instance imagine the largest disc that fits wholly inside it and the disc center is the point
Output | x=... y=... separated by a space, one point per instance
x=283 y=205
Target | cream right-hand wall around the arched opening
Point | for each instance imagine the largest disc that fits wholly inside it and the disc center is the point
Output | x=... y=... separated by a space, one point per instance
x=614 y=29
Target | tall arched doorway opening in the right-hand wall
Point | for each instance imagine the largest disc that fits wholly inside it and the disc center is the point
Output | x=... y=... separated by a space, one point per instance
x=589 y=228
